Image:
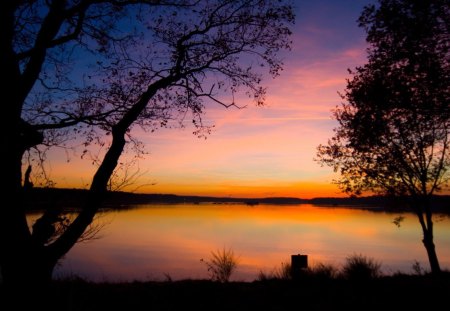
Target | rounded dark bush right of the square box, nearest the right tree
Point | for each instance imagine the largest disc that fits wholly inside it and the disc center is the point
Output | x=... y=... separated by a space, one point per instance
x=359 y=267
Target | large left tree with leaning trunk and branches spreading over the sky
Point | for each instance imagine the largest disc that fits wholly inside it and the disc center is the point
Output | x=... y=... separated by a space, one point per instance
x=174 y=57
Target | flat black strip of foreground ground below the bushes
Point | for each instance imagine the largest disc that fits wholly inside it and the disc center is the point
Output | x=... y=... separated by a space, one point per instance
x=401 y=292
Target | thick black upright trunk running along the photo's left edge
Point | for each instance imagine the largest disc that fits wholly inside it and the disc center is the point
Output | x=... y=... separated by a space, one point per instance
x=14 y=232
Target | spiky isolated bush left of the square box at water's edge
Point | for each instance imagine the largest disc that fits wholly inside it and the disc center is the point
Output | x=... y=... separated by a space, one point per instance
x=221 y=265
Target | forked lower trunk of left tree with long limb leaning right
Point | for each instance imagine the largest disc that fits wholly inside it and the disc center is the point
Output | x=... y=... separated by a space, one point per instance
x=23 y=260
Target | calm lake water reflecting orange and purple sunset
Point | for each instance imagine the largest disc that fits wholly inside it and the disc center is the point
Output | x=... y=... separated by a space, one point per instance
x=152 y=242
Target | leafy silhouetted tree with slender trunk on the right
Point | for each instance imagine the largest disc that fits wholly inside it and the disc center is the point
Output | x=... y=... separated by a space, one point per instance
x=393 y=133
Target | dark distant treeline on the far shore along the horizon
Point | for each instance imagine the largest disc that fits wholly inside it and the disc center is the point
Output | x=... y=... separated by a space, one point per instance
x=43 y=198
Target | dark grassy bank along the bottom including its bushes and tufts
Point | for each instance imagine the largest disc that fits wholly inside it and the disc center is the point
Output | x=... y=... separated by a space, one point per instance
x=358 y=285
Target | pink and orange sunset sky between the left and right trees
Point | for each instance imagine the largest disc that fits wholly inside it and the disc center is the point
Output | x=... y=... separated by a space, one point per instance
x=258 y=151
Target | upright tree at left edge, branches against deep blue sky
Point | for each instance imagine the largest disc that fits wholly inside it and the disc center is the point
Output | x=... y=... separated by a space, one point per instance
x=40 y=43
